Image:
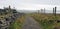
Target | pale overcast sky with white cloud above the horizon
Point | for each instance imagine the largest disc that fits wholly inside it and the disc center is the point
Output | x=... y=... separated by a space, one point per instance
x=31 y=4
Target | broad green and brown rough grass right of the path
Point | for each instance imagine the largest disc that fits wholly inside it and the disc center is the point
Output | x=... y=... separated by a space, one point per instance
x=47 y=21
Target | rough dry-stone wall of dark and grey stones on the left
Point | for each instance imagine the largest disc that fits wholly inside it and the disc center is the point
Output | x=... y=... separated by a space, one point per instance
x=7 y=19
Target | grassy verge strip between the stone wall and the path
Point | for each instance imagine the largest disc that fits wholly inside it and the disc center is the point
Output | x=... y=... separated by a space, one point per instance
x=18 y=23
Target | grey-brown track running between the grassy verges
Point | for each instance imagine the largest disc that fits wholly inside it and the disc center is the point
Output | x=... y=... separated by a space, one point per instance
x=30 y=23
